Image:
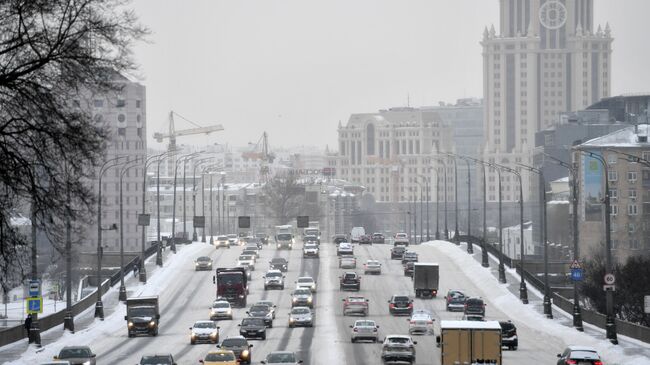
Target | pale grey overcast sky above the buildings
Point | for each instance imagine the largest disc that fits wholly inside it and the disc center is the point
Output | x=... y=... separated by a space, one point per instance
x=296 y=67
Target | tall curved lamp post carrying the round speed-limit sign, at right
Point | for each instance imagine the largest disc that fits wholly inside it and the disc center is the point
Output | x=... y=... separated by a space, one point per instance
x=610 y=321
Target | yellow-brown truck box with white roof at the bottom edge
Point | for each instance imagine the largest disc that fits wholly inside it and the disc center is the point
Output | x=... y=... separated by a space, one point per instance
x=470 y=342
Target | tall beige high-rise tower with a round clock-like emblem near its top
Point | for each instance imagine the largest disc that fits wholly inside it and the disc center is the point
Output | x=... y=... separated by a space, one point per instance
x=547 y=57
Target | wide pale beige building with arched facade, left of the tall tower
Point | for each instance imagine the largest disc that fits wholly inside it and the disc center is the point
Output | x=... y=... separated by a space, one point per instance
x=391 y=152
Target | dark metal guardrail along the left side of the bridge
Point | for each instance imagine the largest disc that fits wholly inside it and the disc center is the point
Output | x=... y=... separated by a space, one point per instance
x=17 y=333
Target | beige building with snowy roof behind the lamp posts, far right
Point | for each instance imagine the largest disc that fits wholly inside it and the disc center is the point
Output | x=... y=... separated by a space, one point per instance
x=629 y=189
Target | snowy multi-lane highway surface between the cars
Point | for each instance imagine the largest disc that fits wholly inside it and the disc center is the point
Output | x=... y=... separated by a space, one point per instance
x=186 y=295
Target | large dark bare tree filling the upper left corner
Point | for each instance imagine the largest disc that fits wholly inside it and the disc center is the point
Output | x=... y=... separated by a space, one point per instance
x=51 y=52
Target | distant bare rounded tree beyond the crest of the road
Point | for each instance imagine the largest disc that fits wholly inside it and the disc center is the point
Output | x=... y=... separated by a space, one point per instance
x=283 y=197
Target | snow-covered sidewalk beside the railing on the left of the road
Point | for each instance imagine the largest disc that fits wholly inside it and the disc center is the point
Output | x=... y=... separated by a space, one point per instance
x=110 y=298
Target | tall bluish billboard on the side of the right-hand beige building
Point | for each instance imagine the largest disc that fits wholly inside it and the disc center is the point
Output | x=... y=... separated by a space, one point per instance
x=593 y=188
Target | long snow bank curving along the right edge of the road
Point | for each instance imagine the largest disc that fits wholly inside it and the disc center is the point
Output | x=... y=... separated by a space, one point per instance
x=501 y=296
